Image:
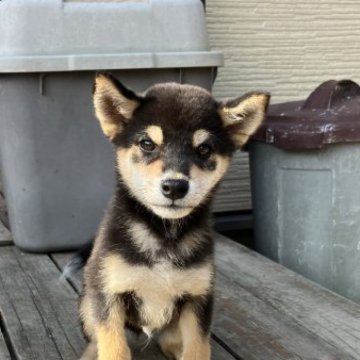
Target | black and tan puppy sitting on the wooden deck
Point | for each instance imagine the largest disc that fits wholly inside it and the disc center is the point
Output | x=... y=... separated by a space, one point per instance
x=152 y=265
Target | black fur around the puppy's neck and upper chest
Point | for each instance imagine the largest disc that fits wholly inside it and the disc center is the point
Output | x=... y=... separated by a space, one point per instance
x=118 y=239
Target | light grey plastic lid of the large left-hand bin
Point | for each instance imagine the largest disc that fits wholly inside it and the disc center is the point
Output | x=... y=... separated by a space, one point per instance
x=65 y=35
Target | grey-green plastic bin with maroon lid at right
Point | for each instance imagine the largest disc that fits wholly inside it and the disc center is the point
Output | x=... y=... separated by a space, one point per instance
x=305 y=173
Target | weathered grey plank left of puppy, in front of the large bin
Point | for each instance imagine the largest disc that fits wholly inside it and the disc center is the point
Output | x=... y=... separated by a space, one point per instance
x=38 y=312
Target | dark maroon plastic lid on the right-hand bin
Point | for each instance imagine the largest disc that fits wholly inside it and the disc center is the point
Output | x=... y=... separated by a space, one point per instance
x=331 y=114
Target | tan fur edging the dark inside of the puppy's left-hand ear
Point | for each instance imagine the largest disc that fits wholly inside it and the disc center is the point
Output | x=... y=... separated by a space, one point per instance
x=104 y=88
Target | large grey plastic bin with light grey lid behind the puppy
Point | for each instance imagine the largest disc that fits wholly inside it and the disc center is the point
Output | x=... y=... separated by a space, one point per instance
x=57 y=167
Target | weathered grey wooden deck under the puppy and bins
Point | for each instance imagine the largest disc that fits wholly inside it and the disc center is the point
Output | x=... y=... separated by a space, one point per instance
x=263 y=311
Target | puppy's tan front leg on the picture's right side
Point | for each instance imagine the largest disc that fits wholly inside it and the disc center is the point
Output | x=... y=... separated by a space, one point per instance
x=194 y=326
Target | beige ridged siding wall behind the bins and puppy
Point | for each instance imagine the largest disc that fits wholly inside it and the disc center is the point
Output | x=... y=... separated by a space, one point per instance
x=286 y=47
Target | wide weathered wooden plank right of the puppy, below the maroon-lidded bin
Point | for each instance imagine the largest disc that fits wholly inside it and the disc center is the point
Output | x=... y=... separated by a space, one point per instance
x=265 y=311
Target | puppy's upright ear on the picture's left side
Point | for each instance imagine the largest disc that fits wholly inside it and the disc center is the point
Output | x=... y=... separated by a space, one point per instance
x=114 y=104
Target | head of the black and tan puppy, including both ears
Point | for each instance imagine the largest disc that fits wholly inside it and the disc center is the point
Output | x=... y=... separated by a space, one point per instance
x=174 y=143
